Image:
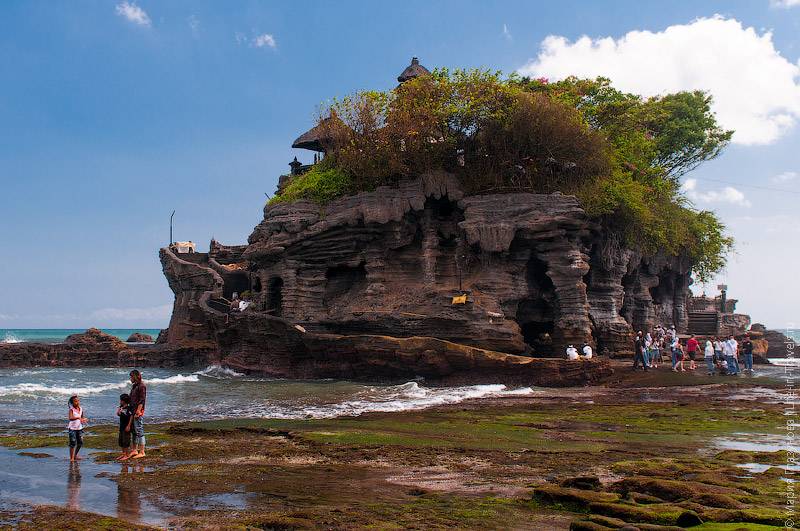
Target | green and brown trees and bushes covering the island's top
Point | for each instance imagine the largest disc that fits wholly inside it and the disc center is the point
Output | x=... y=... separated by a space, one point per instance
x=621 y=154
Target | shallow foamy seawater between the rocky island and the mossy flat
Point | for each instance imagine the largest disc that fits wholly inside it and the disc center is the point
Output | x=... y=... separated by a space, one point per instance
x=39 y=396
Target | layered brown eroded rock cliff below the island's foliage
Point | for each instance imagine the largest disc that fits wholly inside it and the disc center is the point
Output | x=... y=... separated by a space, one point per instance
x=537 y=272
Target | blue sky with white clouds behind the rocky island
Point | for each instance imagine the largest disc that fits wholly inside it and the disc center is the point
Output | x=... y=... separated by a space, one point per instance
x=114 y=113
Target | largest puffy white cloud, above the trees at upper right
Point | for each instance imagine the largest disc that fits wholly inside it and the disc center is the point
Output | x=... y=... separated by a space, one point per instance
x=756 y=90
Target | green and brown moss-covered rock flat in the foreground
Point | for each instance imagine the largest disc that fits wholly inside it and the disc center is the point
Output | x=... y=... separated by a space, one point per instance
x=486 y=464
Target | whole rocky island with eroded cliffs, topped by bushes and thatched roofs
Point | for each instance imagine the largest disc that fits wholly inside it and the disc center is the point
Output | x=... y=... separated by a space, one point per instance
x=423 y=273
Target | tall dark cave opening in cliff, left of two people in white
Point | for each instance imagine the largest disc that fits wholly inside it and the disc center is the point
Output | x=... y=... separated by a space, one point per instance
x=536 y=312
